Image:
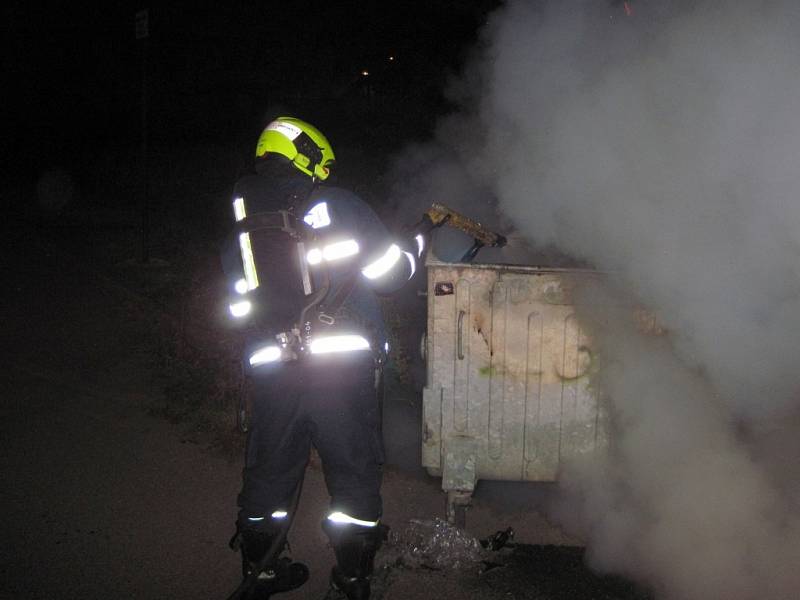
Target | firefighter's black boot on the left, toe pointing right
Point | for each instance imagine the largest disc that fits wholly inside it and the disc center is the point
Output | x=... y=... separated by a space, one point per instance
x=278 y=575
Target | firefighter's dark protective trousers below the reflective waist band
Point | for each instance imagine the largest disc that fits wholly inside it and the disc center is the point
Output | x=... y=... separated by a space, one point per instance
x=329 y=401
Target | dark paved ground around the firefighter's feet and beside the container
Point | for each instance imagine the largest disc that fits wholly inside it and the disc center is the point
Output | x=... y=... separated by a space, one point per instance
x=102 y=500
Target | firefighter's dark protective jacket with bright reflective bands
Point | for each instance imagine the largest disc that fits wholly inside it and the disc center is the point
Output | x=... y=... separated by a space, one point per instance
x=328 y=216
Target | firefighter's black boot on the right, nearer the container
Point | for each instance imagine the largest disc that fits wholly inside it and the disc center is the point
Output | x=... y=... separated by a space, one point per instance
x=355 y=548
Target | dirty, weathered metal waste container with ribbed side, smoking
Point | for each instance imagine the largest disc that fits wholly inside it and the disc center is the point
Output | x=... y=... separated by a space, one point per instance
x=507 y=394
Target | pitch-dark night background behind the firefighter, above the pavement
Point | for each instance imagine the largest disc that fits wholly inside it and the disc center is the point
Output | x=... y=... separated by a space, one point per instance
x=79 y=177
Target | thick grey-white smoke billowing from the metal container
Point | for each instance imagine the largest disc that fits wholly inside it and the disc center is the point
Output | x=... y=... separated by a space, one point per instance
x=664 y=148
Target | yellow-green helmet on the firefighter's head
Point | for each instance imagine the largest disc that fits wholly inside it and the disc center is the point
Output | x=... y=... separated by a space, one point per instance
x=301 y=143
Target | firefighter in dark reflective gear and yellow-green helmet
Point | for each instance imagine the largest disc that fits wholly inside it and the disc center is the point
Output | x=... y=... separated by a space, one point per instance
x=306 y=261
